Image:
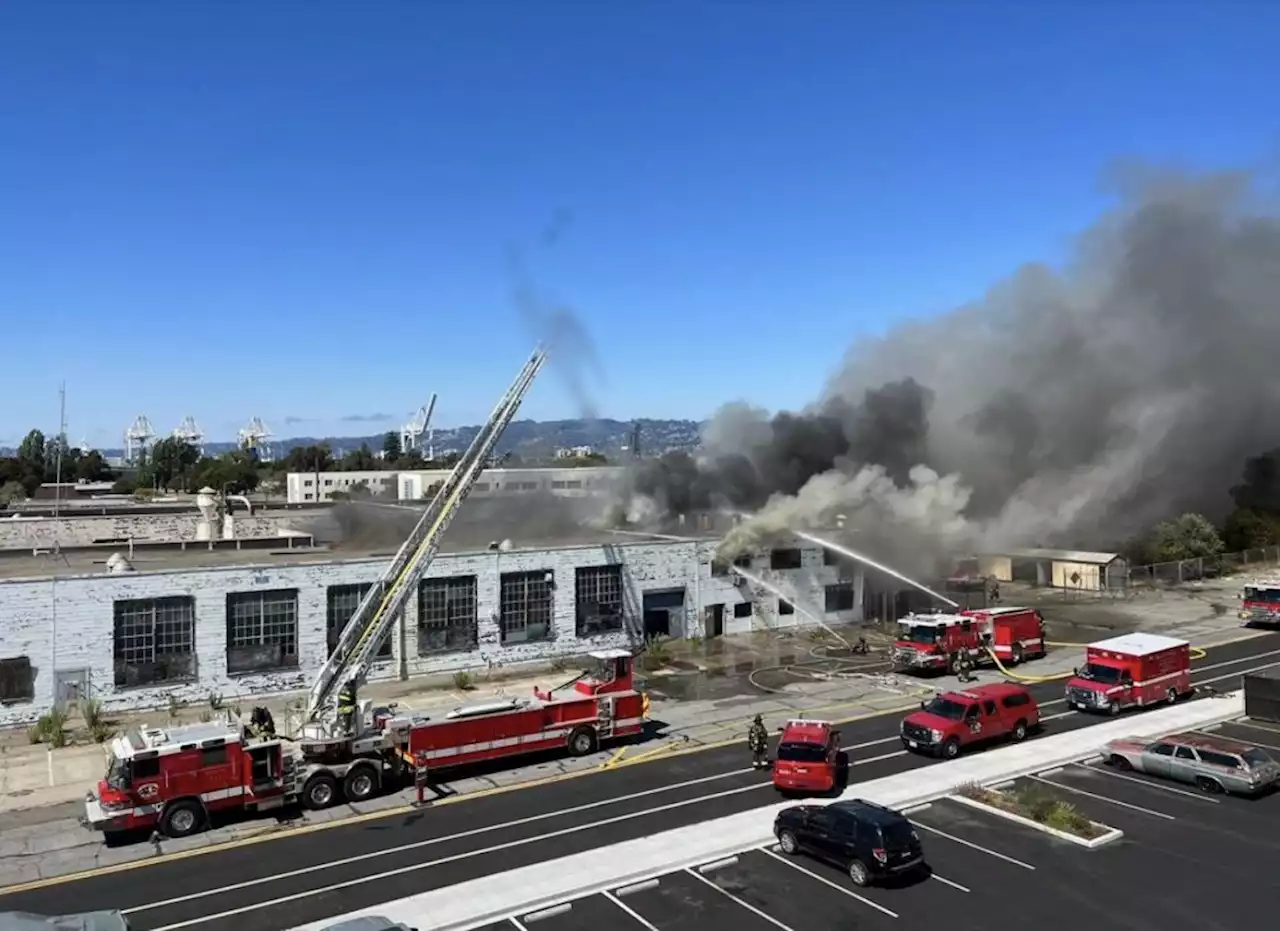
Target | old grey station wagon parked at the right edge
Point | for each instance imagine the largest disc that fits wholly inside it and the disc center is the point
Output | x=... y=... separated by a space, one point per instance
x=1210 y=763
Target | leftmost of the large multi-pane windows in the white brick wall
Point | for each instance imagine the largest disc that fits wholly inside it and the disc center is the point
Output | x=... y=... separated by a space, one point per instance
x=156 y=641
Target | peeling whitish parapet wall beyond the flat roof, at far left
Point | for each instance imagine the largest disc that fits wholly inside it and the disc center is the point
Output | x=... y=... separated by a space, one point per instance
x=42 y=533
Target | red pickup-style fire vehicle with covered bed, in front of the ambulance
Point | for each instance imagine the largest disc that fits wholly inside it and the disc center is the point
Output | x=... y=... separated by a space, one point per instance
x=954 y=720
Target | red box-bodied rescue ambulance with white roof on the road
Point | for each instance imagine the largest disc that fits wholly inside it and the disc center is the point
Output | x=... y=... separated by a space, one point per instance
x=1131 y=670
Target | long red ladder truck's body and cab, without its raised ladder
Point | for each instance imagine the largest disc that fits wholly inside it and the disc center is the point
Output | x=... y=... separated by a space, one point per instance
x=173 y=779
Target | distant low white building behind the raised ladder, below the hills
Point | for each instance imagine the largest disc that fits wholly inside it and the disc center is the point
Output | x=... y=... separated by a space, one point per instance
x=415 y=486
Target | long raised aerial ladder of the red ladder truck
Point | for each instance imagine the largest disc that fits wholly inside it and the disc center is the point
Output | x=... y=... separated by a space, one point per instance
x=374 y=617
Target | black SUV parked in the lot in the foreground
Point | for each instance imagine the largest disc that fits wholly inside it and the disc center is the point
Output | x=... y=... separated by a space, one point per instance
x=863 y=838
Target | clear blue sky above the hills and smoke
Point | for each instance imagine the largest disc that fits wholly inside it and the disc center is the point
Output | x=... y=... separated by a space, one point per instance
x=304 y=211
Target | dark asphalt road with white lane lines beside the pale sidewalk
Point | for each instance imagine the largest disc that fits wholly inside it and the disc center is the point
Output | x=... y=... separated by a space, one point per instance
x=290 y=882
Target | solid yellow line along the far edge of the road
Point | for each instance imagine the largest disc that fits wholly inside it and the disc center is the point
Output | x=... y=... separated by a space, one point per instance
x=223 y=847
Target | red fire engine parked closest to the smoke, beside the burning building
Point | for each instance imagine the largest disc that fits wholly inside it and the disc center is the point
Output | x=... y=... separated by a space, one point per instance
x=936 y=642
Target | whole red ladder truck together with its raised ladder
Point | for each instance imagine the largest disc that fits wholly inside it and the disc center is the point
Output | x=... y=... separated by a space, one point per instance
x=172 y=781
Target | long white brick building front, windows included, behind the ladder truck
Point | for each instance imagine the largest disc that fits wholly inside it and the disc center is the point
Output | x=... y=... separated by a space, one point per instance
x=263 y=623
